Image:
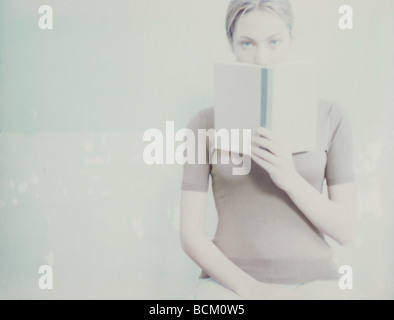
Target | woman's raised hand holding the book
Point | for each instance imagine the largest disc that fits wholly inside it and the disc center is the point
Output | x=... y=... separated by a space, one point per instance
x=270 y=154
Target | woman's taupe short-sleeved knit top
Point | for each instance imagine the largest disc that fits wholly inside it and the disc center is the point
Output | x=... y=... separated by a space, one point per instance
x=259 y=227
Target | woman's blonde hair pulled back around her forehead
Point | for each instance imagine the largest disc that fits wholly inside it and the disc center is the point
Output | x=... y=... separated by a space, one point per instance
x=238 y=8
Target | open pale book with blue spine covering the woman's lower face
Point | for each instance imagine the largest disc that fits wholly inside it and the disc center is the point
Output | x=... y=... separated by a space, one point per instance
x=281 y=98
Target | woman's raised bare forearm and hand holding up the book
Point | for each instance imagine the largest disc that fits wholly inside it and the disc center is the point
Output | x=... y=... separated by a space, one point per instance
x=334 y=216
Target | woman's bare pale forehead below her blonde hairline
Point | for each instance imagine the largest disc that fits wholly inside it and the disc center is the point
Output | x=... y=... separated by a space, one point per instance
x=259 y=24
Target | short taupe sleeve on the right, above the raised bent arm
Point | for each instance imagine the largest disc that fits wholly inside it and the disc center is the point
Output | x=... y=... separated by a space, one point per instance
x=339 y=167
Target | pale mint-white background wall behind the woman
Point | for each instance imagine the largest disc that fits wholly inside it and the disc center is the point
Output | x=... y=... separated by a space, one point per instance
x=75 y=101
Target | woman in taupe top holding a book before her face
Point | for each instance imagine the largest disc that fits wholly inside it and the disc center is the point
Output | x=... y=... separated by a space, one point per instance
x=269 y=242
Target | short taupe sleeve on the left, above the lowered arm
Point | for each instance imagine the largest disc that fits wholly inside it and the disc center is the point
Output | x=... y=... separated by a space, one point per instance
x=196 y=176
